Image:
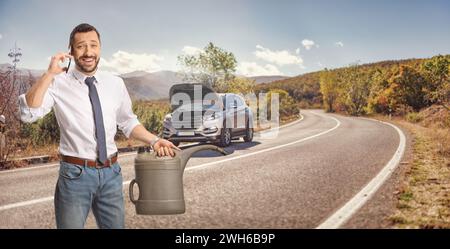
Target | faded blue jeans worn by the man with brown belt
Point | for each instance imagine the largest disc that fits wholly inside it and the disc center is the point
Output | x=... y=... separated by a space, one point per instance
x=81 y=187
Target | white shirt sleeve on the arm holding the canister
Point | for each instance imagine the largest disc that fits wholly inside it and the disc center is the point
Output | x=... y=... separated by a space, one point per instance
x=126 y=119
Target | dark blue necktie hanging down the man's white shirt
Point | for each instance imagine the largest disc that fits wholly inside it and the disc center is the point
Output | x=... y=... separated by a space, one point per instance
x=98 y=119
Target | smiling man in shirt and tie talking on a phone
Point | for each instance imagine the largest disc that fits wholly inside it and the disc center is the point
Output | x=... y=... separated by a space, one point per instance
x=89 y=105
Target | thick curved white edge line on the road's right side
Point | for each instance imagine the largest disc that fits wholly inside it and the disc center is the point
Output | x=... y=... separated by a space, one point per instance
x=342 y=215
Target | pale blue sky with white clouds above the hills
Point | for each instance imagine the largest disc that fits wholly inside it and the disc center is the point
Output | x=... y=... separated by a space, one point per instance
x=267 y=37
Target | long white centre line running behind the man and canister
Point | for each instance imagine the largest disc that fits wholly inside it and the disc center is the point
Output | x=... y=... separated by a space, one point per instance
x=50 y=198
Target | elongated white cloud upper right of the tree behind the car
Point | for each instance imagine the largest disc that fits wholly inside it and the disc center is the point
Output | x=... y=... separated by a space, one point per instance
x=282 y=57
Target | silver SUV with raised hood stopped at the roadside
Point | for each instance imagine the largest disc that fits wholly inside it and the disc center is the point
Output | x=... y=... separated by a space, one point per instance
x=201 y=115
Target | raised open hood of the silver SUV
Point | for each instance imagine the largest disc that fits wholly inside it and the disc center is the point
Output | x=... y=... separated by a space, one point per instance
x=188 y=93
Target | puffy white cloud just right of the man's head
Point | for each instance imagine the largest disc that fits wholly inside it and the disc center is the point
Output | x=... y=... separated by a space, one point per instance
x=124 y=62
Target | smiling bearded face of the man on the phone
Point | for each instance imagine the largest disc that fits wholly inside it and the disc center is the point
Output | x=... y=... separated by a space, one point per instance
x=86 y=51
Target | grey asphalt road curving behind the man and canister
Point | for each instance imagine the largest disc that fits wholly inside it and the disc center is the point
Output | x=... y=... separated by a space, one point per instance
x=297 y=180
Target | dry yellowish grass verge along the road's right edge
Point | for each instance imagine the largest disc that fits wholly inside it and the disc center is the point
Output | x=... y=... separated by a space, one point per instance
x=423 y=199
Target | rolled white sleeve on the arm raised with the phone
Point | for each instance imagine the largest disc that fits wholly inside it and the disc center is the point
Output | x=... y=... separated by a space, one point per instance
x=28 y=114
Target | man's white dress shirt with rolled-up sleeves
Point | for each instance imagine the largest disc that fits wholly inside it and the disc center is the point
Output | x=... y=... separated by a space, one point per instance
x=68 y=95
